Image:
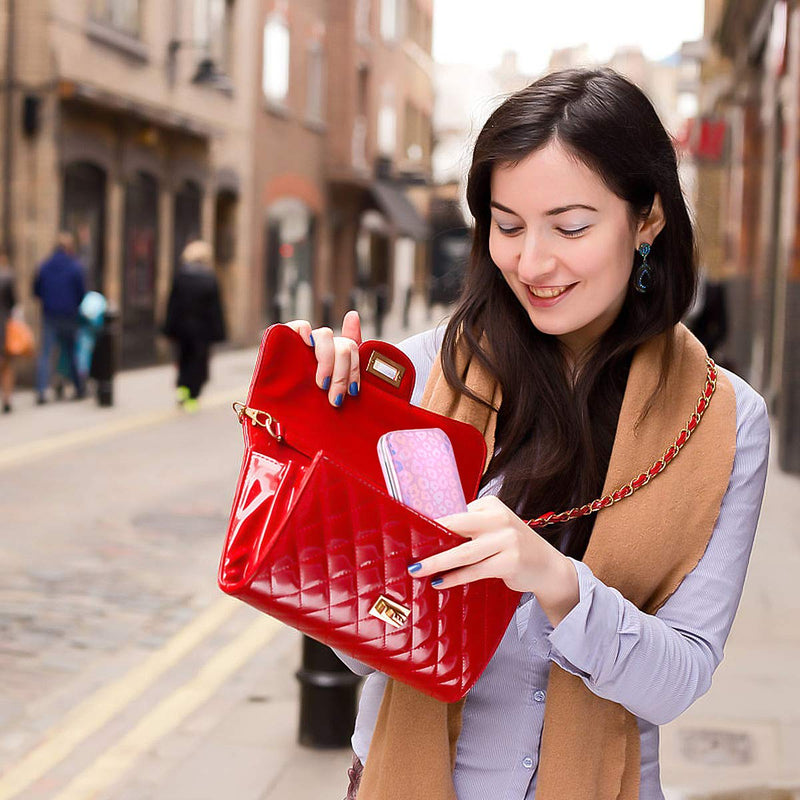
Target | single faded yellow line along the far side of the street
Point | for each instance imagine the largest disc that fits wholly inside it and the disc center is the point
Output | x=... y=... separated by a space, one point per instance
x=28 y=451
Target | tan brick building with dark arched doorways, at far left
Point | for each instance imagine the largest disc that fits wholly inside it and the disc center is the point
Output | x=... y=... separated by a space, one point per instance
x=129 y=124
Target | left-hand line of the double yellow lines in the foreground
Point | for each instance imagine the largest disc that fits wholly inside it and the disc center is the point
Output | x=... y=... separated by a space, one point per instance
x=99 y=708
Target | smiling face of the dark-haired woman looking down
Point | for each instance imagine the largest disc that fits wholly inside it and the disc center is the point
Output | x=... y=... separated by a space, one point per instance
x=564 y=242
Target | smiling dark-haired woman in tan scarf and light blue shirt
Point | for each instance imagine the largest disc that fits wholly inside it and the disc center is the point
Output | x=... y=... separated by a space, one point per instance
x=568 y=339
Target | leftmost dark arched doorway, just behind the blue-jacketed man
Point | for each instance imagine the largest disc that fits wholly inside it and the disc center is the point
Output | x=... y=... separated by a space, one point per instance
x=83 y=213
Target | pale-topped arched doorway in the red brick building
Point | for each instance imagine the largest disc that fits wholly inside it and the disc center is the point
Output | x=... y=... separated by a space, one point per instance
x=289 y=256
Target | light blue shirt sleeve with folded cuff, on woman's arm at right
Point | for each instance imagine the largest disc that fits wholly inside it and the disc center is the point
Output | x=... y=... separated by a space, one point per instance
x=658 y=665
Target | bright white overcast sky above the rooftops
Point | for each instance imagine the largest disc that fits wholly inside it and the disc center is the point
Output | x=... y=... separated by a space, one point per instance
x=479 y=31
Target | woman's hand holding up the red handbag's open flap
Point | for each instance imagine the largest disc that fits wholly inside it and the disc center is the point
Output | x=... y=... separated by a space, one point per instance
x=338 y=370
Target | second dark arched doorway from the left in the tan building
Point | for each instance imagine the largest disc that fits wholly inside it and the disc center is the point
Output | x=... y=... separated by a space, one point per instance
x=139 y=270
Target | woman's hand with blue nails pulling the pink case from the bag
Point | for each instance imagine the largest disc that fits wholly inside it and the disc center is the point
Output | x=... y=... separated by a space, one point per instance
x=502 y=546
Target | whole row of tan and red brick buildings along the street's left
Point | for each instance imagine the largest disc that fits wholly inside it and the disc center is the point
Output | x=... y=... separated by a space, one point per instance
x=295 y=135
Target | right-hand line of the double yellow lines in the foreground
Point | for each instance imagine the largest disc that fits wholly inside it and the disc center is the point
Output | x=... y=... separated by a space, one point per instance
x=170 y=712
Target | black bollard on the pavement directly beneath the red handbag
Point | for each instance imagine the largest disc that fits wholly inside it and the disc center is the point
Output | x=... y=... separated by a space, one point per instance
x=327 y=698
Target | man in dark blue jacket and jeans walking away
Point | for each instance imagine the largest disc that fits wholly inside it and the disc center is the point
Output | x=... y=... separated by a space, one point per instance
x=60 y=285
